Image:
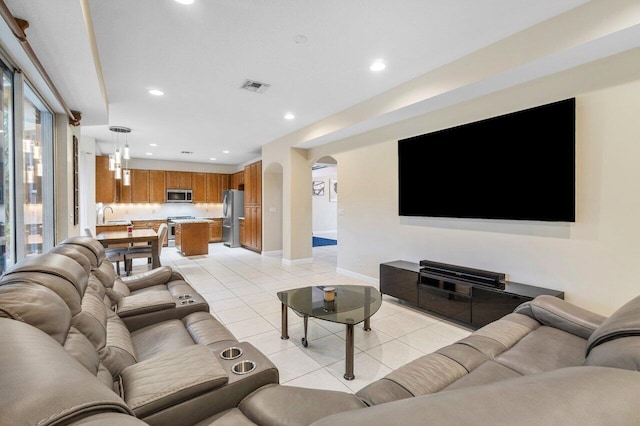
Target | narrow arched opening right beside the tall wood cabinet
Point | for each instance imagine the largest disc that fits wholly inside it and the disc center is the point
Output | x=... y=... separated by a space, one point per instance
x=272 y=210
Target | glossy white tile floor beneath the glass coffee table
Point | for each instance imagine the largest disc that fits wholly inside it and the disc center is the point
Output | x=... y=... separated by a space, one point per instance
x=241 y=288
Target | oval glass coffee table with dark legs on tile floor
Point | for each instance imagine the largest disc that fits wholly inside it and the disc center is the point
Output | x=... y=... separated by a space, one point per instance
x=352 y=305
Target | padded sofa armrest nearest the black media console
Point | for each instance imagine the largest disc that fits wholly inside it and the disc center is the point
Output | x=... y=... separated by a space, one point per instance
x=557 y=313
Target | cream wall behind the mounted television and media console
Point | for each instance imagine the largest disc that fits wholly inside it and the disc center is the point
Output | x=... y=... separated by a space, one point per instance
x=593 y=260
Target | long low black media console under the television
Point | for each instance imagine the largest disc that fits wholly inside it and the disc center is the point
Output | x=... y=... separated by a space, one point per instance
x=470 y=296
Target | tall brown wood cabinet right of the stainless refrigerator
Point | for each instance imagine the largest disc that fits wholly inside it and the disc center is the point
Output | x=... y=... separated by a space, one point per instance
x=252 y=207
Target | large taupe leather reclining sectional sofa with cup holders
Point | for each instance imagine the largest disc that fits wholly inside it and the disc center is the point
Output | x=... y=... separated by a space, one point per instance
x=80 y=346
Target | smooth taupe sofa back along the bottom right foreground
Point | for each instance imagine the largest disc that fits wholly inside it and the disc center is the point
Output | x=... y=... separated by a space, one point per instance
x=567 y=396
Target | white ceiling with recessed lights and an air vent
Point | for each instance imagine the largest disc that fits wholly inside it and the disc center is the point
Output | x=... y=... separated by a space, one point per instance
x=200 y=55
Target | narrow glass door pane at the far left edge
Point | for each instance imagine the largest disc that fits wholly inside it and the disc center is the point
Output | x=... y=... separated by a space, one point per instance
x=6 y=172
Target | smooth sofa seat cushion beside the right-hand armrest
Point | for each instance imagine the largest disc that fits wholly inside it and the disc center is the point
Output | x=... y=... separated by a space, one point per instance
x=544 y=349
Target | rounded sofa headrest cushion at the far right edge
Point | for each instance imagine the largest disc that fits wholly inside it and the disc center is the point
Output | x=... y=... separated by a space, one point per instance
x=622 y=323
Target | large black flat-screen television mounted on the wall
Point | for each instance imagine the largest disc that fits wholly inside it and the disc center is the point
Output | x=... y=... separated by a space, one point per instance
x=518 y=166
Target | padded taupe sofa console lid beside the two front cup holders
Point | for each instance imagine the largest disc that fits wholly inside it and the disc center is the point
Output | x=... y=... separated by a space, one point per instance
x=160 y=382
